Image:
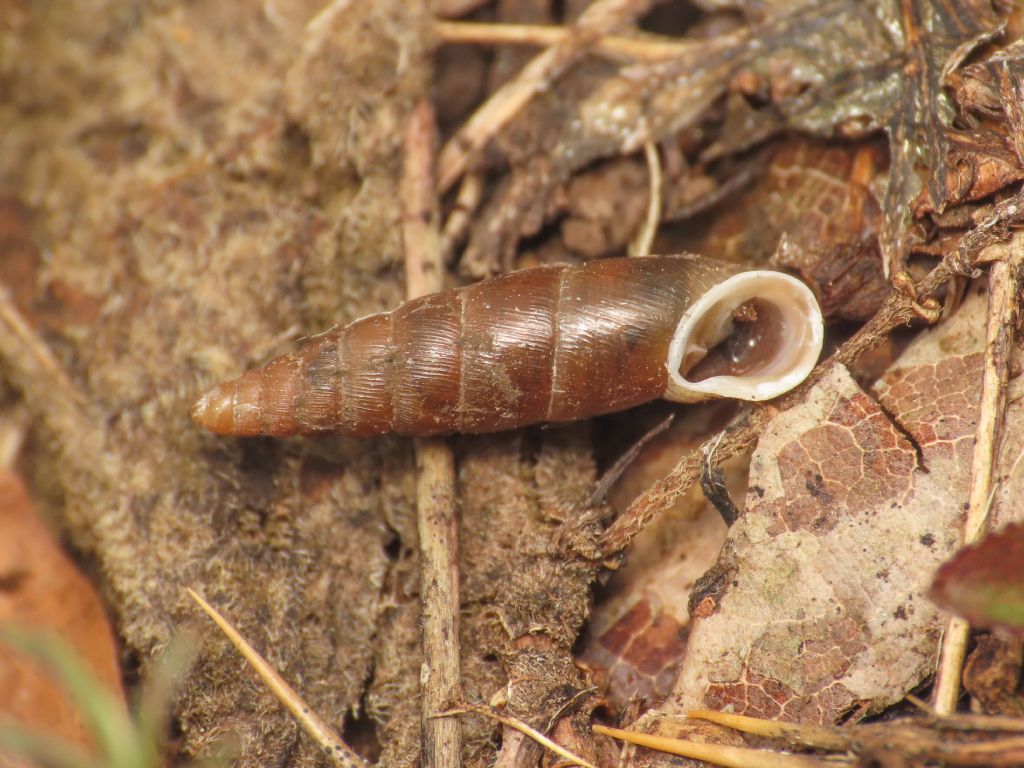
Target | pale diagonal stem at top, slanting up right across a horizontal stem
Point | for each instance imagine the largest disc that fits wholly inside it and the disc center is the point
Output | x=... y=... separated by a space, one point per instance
x=536 y=77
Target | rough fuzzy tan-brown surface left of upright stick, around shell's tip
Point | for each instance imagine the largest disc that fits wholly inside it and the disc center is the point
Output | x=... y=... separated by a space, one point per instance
x=184 y=241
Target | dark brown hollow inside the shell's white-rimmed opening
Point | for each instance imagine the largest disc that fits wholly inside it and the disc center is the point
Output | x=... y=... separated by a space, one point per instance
x=754 y=343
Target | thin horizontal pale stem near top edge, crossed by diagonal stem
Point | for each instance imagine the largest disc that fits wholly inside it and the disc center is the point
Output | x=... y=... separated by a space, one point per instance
x=637 y=50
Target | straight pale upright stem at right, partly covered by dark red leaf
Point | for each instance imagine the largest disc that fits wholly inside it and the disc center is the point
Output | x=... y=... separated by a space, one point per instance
x=1004 y=284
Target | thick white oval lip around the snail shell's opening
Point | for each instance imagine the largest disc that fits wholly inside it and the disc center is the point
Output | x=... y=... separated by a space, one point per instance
x=803 y=333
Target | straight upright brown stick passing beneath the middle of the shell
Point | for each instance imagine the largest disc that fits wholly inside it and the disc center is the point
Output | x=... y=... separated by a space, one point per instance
x=442 y=738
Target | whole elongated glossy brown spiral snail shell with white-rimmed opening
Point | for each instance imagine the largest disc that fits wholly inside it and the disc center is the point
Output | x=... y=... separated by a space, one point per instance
x=550 y=345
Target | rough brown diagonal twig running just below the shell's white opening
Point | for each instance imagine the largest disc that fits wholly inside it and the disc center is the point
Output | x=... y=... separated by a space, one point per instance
x=901 y=308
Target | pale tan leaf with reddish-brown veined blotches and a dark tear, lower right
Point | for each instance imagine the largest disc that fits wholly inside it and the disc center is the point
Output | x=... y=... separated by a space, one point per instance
x=817 y=606
